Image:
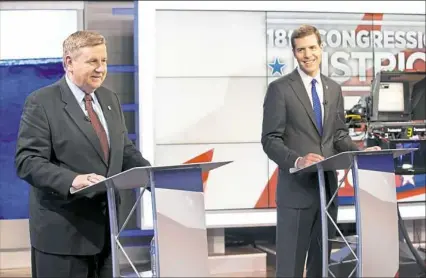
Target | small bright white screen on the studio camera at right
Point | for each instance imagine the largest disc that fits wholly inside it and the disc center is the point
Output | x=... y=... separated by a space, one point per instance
x=391 y=97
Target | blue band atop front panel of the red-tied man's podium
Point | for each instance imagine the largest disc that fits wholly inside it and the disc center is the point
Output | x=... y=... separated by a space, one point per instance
x=186 y=179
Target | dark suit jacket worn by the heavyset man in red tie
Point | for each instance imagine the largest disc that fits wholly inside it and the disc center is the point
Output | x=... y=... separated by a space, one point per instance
x=54 y=145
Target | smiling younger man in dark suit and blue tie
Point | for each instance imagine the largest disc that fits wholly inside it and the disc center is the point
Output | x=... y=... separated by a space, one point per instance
x=303 y=123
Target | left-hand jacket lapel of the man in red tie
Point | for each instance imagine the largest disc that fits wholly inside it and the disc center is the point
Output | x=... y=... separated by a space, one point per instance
x=77 y=115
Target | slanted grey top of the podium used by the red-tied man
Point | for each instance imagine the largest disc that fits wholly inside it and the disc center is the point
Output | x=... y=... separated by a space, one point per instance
x=139 y=176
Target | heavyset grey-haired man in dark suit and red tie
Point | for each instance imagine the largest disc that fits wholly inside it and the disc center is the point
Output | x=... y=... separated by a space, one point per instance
x=72 y=134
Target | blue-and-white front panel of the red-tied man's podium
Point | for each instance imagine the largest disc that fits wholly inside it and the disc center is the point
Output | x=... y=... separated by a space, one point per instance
x=179 y=221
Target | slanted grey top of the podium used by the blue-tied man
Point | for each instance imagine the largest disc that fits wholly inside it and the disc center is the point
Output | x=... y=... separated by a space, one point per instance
x=343 y=160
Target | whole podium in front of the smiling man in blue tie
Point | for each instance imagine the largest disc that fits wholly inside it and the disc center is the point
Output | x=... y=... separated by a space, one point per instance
x=377 y=241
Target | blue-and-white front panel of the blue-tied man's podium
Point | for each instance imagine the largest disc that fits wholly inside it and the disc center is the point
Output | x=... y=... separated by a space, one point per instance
x=377 y=211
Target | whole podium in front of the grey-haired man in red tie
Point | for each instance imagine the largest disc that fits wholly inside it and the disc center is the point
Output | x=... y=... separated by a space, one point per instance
x=178 y=215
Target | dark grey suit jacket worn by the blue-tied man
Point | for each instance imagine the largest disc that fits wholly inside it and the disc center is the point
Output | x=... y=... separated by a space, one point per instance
x=289 y=131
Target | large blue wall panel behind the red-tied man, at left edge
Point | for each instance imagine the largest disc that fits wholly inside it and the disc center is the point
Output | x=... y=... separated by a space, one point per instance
x=18 y=79
